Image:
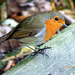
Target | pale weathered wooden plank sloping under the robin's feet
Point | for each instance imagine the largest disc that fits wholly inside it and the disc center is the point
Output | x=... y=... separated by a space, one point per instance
x=61 y=60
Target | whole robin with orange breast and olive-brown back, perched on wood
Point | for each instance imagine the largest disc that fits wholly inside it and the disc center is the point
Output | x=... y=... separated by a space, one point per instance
x=36 y=29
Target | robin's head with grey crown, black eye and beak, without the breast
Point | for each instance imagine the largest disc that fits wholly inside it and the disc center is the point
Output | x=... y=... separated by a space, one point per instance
x=57 y=18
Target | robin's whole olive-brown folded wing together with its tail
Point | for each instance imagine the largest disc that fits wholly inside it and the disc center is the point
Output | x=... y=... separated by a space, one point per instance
x=28 y=27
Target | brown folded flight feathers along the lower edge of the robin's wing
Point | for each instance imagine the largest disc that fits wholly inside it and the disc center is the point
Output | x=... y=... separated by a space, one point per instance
x=22 y=33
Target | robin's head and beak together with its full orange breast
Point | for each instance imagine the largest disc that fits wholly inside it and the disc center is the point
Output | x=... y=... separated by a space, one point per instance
x=55 y=22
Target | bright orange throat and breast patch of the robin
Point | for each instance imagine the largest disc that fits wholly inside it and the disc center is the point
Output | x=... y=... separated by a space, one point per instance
x=51 y=28
